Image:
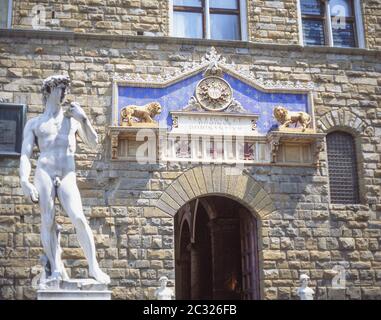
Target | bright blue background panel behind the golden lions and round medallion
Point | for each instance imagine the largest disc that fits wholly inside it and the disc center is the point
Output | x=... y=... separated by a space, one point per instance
x=176 y=97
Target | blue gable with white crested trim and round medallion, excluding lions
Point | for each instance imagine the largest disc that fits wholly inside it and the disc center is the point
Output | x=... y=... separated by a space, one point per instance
x=212 y=84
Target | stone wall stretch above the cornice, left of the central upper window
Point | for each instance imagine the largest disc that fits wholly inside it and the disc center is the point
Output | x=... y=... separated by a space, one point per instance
x=134 y=17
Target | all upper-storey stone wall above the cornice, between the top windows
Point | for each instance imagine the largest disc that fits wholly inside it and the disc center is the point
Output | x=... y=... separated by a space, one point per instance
x=268 y=21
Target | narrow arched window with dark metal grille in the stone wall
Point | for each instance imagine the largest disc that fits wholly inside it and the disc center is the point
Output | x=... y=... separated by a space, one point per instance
x=342 y=168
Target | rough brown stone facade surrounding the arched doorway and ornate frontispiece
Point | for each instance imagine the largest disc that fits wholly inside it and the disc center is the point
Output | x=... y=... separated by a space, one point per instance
x=129 y=206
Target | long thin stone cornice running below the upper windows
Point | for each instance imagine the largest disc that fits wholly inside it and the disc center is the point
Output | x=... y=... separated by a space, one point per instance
x=68 y=35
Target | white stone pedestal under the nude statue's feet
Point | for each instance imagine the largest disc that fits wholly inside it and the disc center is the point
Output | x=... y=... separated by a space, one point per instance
x=74 y=289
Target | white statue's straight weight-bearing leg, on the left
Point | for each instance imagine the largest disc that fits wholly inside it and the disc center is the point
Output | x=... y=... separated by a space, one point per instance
x=46 y=190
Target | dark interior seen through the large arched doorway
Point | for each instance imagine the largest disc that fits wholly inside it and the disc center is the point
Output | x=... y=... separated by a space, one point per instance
x=216 y=250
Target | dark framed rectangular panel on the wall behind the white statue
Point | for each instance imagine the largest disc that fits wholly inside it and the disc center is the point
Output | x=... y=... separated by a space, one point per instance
x=12 y=120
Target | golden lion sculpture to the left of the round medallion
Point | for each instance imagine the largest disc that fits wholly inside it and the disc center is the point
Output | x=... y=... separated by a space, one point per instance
x=144 y=114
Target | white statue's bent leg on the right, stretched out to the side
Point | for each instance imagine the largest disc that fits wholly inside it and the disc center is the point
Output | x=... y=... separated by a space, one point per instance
x=70 y=199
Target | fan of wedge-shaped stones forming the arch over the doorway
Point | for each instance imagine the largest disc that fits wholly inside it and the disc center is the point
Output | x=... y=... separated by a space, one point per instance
x=212 y=180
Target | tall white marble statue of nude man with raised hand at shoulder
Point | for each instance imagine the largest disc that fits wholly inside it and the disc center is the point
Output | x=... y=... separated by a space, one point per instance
x=54 y=132
